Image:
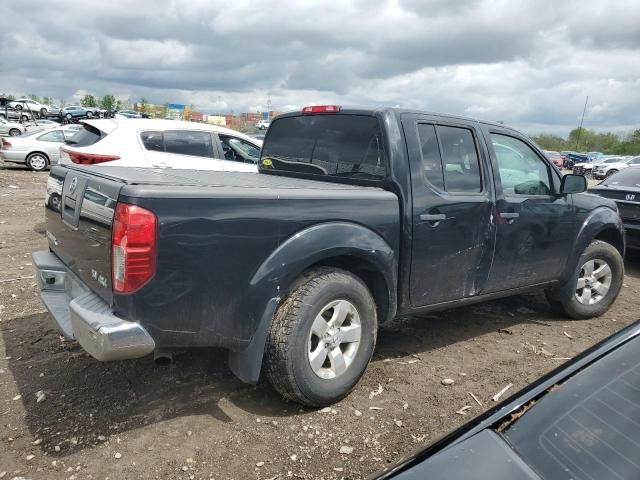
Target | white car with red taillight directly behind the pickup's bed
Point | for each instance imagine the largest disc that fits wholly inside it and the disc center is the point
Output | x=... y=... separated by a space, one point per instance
x=161 y=144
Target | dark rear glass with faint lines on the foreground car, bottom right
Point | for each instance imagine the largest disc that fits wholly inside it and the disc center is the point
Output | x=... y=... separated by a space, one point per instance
x=589 y=428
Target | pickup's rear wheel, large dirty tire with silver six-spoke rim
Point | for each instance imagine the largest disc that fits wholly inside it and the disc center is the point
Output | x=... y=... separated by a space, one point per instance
x=313 y=305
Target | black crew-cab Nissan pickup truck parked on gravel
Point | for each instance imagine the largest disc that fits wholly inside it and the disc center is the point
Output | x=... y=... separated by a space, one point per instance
x=356 y=217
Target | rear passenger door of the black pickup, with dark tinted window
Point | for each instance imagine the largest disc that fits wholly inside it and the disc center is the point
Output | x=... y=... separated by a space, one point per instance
x=453 y=231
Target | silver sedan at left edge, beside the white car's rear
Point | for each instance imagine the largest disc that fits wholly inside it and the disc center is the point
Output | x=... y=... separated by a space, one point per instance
x=37 y=150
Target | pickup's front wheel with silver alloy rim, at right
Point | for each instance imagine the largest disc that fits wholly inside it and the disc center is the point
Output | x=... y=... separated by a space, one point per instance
x=599 y=255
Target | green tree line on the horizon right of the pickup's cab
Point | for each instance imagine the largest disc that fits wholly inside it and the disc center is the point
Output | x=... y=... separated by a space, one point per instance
x=586 y=140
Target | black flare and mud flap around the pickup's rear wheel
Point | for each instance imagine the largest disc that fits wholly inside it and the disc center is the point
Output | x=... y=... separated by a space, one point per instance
x=303 y=249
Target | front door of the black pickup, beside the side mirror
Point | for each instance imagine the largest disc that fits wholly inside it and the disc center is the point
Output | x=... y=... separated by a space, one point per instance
x=535 y=225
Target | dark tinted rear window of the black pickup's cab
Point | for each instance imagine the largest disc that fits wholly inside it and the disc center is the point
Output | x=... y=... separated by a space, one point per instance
x=326 y=144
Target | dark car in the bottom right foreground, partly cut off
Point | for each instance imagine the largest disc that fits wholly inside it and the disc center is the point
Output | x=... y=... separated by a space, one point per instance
x=579 y=422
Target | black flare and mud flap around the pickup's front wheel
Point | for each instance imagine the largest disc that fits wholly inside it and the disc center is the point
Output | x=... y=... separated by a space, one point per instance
x=596 y=222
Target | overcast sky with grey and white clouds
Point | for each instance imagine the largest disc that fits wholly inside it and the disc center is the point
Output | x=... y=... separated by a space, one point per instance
x=528 y=63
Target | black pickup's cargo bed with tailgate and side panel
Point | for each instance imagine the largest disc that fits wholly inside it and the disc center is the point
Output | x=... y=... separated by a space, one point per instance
x=216 y=230
